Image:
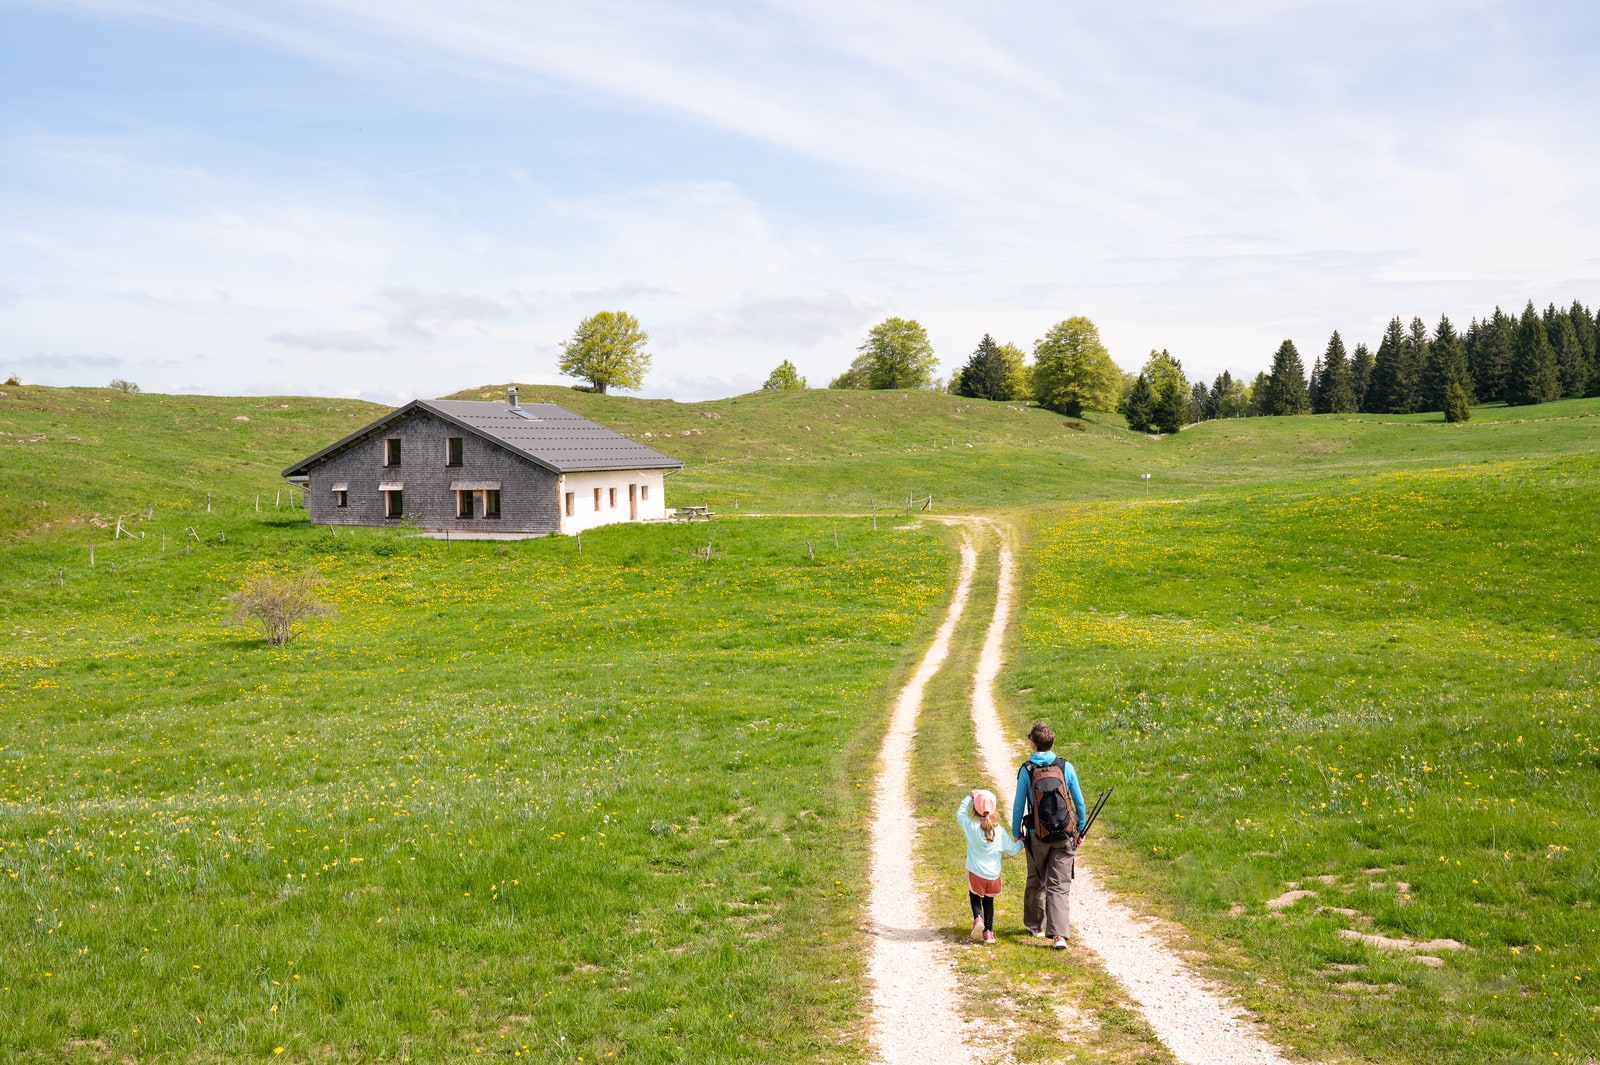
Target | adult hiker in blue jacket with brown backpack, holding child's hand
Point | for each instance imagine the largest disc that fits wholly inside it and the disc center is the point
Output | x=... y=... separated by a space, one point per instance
x=1047 y=816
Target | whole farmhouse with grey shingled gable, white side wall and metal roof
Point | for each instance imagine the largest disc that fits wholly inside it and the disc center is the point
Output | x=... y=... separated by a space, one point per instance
x=486 y=469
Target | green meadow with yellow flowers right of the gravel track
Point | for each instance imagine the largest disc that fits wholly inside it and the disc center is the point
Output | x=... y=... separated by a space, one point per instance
x=1375 y=690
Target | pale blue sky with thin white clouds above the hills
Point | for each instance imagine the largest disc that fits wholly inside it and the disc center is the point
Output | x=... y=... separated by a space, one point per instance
x=396 y=199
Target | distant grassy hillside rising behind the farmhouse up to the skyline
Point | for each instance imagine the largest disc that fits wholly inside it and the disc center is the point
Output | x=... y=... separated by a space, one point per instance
x=73 y=455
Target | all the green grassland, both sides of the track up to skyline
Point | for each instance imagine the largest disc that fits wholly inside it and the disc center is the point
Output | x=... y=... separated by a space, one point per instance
x=529 y=802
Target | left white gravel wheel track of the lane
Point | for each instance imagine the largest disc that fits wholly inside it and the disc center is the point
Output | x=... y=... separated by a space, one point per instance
x=914 y=991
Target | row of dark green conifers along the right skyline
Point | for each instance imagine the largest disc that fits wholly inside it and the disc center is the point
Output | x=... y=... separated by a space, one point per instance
x=1500 y=359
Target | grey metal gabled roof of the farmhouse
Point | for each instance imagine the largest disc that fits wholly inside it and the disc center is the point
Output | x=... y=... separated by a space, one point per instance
x=546 y=434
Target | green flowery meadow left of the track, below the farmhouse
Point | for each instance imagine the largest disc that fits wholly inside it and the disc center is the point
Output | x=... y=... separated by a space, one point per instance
x=513 y=800
